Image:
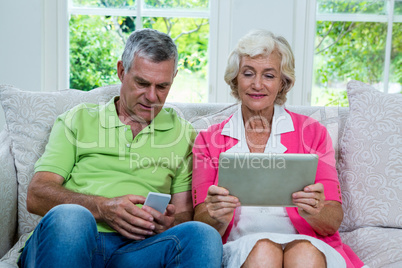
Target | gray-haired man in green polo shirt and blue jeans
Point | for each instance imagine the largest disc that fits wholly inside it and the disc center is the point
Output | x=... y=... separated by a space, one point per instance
x=95 y=173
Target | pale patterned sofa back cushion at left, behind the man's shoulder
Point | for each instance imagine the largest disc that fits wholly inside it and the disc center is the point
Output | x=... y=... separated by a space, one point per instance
x=29 y=118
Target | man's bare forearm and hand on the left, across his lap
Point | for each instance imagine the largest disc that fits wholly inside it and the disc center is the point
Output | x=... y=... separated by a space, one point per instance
x=121 y=213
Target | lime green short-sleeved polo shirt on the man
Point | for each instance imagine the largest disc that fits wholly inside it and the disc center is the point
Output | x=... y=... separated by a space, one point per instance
x=97 y=155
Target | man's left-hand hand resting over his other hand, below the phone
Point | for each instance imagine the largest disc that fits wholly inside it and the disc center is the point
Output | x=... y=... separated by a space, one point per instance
x=122 y=214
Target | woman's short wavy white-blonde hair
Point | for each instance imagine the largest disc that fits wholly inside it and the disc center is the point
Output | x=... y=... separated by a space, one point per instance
x=262 y=43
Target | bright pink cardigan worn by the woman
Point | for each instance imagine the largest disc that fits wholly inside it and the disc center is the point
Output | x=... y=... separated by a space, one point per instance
x=309 y=137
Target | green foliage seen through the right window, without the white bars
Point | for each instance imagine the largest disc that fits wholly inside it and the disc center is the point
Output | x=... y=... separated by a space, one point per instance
x=353 y=50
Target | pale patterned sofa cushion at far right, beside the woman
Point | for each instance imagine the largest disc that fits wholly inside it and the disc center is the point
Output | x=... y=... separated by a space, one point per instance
x=371 y=159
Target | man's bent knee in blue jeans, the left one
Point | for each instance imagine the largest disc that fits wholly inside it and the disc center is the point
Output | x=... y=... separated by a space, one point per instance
x=67 y=233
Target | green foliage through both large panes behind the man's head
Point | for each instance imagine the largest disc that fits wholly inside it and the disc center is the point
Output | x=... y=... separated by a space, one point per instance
x=96 y=44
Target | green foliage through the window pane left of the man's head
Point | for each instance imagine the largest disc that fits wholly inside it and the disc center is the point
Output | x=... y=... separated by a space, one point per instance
x=94 y=51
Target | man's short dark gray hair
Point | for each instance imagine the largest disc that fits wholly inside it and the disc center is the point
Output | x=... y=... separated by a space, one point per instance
x=150 y=44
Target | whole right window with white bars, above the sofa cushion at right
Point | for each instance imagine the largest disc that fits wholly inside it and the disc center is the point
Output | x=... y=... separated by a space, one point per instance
x=359 y=40
